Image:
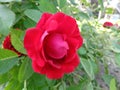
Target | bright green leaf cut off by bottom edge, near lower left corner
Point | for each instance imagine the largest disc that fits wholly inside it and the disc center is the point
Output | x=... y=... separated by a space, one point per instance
x=14 y=85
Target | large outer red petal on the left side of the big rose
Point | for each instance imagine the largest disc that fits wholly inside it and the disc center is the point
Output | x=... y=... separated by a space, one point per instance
x=32 y=44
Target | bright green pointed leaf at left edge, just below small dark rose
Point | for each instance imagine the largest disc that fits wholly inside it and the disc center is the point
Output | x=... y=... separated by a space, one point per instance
x=7 y=54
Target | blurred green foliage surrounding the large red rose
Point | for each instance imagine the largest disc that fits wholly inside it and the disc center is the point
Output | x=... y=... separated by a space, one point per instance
x=100 y=44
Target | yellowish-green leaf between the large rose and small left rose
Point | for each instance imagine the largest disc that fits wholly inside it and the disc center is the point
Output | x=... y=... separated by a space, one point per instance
x=16 y=36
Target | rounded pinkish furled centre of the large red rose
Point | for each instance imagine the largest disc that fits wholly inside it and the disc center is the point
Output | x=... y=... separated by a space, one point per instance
x=55 y=46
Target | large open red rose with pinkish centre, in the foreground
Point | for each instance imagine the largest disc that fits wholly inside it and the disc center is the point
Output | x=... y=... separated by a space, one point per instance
x=52 y=45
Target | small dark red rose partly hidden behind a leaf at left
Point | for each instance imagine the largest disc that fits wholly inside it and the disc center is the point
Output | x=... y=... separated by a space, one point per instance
x=8 y=45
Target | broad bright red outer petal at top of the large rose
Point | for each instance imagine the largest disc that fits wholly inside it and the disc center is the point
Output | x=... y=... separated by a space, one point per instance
x=65 y=24
